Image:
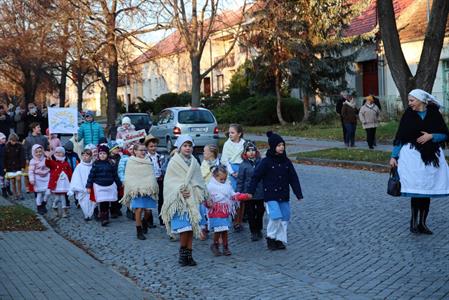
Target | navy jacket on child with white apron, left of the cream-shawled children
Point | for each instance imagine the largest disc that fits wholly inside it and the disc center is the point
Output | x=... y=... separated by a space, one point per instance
x=103 y=173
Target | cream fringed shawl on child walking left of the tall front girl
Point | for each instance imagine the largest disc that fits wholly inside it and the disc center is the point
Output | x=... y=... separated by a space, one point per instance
x=139 y=180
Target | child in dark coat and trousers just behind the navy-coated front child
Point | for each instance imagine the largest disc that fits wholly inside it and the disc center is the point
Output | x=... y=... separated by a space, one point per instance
x=255 y=206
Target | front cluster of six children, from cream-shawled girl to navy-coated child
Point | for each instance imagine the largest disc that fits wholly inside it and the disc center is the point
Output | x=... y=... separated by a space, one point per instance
x=218 y=191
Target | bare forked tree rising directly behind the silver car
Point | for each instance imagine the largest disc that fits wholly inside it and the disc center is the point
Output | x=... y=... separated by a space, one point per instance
x=196 y=22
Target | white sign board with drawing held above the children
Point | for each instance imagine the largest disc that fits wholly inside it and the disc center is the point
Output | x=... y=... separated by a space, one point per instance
x=62 y=120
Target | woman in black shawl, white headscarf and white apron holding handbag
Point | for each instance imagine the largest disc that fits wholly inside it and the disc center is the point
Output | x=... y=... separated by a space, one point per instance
x=419 y=157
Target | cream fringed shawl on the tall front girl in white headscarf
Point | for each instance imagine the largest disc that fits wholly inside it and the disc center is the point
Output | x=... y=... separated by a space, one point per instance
x=179 y=177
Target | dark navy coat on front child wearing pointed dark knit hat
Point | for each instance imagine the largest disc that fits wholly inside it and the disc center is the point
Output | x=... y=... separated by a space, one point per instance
x=277 y=175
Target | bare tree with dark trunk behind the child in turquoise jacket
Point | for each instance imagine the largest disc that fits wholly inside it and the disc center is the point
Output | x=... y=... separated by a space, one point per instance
x=115 y=21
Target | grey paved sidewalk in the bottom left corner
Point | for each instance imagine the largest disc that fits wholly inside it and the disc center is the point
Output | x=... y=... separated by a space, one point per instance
x=43 y=265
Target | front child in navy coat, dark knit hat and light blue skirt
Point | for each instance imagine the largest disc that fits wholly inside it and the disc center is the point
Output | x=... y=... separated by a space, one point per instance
x=278 y=174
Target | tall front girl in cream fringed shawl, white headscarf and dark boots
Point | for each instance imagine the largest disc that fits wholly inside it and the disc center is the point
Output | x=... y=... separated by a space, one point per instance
x=184 y=190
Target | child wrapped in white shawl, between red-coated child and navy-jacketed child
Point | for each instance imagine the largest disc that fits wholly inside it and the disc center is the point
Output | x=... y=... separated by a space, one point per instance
x=78 y=184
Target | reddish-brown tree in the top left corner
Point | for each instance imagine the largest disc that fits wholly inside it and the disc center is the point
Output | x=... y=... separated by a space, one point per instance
x=26 y=44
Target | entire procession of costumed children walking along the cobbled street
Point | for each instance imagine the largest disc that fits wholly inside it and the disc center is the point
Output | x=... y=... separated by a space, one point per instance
x=191 y=199
